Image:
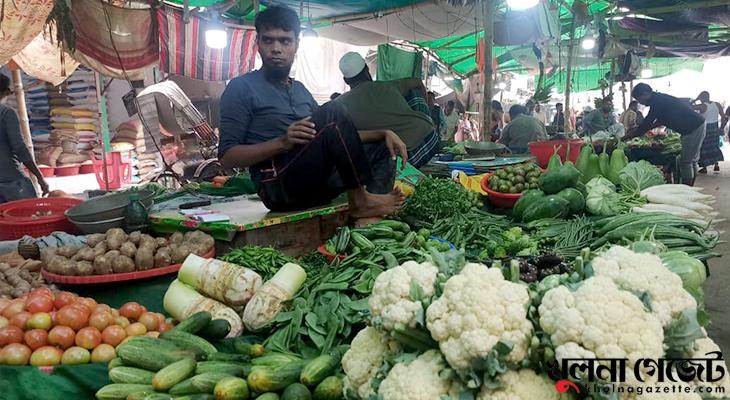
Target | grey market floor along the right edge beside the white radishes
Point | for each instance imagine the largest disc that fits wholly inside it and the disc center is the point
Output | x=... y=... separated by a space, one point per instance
x=717 y=287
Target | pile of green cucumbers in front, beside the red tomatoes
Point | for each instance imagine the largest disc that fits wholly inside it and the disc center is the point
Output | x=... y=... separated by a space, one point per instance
x=182 y=364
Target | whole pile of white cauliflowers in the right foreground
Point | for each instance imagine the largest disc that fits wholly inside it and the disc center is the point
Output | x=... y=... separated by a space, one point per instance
x=476 y=312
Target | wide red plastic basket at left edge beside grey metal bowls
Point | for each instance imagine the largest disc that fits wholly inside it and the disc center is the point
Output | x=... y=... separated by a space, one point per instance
x=17 y=218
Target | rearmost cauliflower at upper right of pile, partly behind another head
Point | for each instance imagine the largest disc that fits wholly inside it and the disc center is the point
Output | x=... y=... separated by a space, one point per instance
x=645 y=273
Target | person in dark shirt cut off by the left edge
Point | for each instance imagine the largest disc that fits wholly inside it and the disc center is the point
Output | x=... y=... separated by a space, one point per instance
x=14 y=185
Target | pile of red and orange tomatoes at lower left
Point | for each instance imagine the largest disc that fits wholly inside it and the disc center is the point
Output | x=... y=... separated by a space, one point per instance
x=44 y=328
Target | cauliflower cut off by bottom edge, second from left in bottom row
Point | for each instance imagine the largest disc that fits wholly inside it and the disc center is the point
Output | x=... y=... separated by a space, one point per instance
x=420 y=379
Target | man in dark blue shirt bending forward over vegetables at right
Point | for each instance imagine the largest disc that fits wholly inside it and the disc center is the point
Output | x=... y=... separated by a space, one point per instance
x=668 y=111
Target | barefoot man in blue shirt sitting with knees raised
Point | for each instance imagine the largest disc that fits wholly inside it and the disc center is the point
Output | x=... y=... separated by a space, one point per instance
x=301 y=155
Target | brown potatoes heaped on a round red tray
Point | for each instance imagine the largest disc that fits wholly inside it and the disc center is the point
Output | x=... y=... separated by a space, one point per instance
x=116 y=252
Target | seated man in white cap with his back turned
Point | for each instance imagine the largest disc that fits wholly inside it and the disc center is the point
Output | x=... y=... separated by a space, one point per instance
x=396 y=106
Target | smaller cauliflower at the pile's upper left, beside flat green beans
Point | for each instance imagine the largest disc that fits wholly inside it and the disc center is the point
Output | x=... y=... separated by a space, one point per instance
x=391 y=303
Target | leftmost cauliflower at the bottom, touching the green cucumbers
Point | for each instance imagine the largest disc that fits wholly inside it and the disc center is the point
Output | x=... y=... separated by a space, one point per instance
x=363 y=360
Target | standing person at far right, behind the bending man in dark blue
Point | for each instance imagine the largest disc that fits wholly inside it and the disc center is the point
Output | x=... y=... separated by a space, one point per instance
x=710 y=152
